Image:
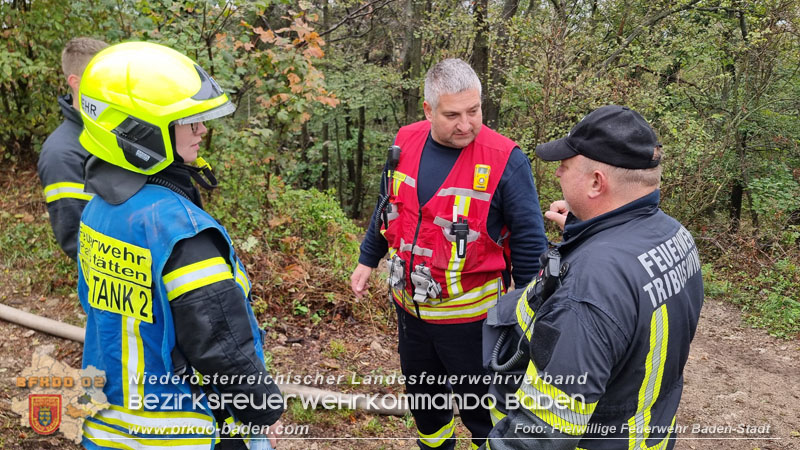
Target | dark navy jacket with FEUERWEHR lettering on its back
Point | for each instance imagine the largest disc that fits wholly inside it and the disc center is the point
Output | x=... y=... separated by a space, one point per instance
x=608 y=347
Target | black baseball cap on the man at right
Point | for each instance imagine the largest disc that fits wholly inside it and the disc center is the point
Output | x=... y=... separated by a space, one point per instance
x=615 y=135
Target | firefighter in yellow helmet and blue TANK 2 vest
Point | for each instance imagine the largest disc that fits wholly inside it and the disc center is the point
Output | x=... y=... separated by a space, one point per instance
x=167 y=300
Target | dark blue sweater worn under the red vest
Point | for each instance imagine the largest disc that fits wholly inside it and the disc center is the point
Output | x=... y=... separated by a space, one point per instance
x=515 y=204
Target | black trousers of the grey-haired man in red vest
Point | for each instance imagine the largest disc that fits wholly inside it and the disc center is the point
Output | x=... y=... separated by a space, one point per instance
x=431 y=356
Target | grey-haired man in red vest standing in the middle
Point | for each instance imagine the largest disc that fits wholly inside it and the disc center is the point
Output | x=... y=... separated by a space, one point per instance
x=457 y=202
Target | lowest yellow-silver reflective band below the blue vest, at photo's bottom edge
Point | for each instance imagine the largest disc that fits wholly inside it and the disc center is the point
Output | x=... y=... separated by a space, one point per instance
x=106 y=436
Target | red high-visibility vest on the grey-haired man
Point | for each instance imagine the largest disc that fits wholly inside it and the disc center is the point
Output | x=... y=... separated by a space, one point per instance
x=421 y=234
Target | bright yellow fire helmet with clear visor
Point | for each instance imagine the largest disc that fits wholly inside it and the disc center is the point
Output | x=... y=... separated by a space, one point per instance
x=130 y=95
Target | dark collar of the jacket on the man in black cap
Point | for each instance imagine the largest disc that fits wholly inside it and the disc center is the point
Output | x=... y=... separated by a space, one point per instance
x=576 y=230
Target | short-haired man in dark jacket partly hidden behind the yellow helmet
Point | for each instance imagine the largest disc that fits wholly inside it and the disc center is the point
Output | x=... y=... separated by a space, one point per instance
x=61 y=161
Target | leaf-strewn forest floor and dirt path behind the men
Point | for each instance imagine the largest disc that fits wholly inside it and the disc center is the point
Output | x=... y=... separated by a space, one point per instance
x=741 y=385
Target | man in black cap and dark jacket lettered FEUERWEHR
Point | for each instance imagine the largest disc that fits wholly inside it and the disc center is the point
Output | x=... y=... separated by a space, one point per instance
x=611 y=318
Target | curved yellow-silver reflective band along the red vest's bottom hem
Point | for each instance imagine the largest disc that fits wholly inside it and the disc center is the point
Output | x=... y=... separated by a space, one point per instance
x=471 y=304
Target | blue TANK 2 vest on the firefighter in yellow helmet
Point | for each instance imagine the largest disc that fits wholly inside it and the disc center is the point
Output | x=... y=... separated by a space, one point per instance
x=129 y=331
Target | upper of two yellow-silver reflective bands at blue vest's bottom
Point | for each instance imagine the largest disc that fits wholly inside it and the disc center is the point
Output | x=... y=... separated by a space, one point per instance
x=125 y=418
